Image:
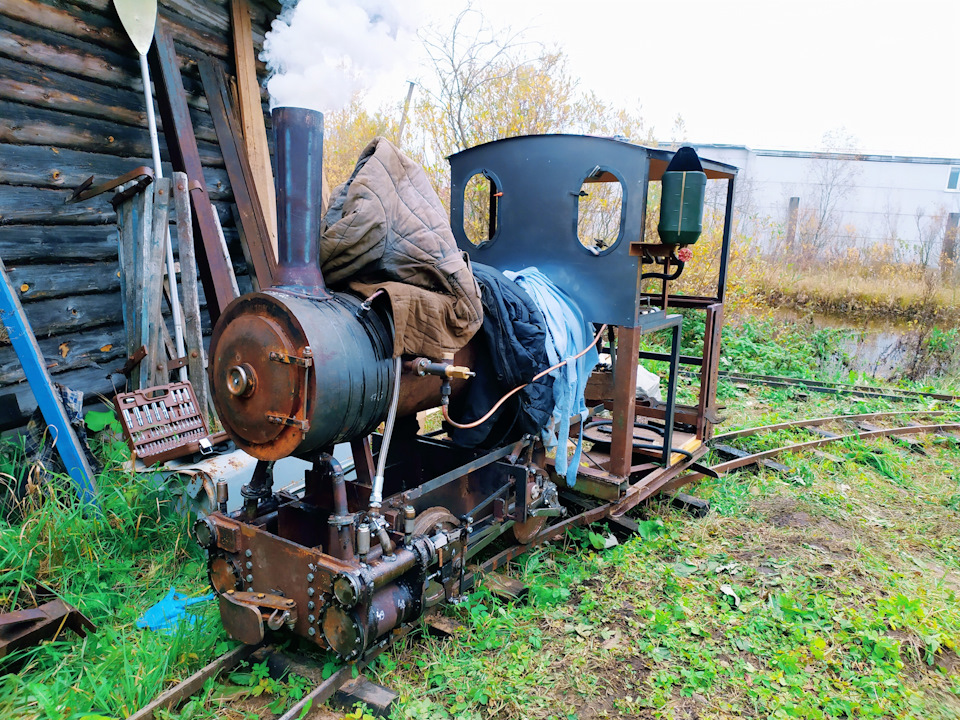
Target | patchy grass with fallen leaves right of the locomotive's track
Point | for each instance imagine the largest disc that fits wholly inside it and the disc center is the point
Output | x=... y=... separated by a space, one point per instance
x=830 y=593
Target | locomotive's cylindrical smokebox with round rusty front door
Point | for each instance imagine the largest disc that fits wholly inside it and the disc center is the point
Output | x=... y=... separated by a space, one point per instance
x=352 y=356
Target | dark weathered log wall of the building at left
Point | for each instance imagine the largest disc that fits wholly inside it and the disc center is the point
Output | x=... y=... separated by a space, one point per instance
x=72 y=106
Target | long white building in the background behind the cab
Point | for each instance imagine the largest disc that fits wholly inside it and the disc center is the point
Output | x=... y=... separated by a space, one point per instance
x=827 y=201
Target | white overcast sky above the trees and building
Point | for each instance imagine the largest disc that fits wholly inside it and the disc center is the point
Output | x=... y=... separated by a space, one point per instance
x=764 y=73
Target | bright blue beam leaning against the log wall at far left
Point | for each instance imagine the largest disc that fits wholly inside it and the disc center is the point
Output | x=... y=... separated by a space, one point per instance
x=35 y=368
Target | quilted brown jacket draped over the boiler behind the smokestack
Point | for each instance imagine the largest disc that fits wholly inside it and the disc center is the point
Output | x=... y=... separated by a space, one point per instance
x=385 y=228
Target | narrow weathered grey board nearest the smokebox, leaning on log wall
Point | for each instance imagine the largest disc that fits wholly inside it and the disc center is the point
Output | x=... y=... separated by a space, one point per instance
x=193 y=336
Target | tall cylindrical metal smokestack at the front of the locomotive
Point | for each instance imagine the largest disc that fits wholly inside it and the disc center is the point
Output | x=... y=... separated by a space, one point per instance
x=299 y=136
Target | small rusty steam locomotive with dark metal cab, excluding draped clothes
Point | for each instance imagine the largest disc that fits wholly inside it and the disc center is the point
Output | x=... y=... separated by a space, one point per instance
x=299 y=367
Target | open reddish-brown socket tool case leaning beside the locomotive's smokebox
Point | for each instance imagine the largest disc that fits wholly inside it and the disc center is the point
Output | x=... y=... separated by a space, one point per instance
x=162 y=422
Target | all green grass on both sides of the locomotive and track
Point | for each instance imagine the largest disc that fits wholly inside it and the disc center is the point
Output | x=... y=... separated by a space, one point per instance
x=830 y=592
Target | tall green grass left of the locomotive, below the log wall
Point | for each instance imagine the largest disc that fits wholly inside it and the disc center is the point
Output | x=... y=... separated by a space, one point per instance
x=112 y=565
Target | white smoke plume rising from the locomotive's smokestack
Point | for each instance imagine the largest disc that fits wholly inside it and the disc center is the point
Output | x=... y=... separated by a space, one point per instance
x=321 y=52
